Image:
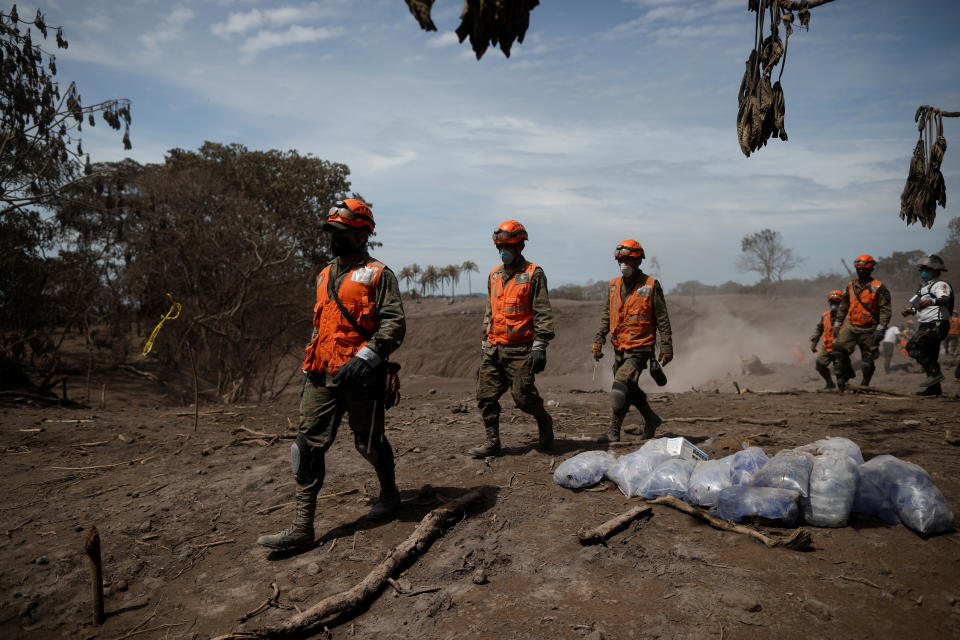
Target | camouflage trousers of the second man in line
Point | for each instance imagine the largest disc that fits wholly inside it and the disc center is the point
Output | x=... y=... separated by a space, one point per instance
x=501 y=368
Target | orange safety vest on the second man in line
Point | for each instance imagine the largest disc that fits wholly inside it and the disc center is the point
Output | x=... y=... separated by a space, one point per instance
x=511 y=307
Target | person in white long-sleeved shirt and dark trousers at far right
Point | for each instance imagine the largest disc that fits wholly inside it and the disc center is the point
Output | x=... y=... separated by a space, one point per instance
x=932 y=304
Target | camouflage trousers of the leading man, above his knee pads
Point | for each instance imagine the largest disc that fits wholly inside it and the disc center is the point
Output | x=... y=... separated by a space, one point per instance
x=321 y=410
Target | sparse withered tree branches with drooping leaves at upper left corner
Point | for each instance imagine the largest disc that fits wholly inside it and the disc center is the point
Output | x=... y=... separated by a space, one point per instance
x=40 y=148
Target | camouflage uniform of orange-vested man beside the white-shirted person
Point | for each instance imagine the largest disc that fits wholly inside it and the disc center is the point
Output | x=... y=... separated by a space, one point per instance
x=852 y=336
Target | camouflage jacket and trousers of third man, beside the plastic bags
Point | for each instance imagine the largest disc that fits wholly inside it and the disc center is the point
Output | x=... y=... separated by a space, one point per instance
x=628 y=364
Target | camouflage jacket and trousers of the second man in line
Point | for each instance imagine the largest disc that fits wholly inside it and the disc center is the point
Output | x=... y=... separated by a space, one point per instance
x=505 y=367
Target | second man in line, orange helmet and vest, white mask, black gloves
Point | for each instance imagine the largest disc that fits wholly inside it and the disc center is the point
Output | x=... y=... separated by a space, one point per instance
x=517 y=326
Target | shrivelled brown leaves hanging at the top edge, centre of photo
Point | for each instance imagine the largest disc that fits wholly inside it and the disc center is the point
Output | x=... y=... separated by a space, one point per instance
x=486 y=22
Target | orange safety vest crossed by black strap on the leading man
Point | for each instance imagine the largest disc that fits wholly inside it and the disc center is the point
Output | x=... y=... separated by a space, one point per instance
x=336 y=340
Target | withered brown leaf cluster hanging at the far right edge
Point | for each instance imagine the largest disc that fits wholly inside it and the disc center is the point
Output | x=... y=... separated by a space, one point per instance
x=925 y=187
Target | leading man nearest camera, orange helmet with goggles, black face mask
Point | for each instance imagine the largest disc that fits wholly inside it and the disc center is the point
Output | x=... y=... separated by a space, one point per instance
x=358 y=322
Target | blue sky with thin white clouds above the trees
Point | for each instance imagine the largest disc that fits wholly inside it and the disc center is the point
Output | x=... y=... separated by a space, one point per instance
x=613 y=119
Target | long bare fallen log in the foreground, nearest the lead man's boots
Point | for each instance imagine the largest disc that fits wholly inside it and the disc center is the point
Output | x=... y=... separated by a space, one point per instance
x=367 y=589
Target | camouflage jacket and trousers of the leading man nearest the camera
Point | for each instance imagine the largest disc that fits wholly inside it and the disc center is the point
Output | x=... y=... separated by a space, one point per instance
x=322 y=404
